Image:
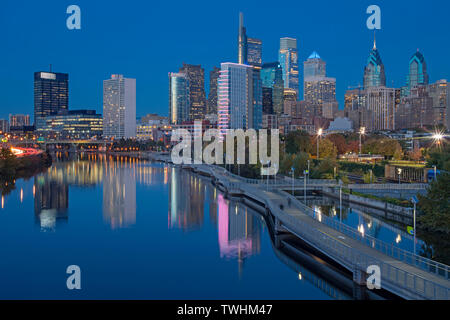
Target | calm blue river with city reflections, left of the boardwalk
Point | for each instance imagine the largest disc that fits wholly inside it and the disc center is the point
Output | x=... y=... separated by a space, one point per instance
x=139 y=230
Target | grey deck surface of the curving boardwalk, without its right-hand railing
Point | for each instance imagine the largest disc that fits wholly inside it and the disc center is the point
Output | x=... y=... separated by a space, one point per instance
x=398 y=277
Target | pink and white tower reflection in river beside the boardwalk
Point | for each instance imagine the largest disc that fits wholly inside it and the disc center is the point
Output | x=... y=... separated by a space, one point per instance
x=239 y=231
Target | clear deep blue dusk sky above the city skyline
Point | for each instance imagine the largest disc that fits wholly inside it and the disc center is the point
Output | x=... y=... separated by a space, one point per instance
x=147 y=39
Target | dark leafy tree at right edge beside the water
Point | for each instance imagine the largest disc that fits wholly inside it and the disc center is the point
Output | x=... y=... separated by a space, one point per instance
x=435 y=206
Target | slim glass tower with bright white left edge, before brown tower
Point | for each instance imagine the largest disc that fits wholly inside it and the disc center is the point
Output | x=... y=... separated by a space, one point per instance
x=179 y=106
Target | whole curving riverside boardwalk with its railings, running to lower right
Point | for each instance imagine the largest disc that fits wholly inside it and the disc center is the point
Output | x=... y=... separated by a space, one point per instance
x=402 y=273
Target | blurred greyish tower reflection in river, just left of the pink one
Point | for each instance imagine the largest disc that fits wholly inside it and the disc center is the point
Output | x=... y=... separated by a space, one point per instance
x=187 y=198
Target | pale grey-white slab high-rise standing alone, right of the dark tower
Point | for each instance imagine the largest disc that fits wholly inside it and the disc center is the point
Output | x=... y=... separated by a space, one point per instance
x=119 y=107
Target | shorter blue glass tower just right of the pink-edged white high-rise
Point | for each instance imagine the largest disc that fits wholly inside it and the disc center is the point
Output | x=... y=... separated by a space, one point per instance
x=272 y=79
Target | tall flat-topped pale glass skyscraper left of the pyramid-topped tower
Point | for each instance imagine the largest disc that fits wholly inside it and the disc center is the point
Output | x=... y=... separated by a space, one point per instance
x=288 y=57
